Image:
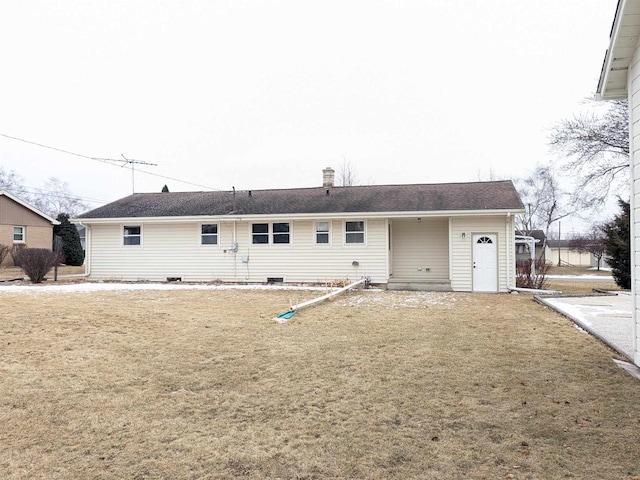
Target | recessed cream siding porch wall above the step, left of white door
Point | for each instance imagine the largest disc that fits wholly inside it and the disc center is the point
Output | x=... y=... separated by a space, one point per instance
x=421 y=250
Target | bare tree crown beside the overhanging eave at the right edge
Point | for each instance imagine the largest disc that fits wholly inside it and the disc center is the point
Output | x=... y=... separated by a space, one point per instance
x=596 y=146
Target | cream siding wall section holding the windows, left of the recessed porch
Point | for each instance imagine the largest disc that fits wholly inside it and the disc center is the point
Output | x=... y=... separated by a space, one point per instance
x=168 y=250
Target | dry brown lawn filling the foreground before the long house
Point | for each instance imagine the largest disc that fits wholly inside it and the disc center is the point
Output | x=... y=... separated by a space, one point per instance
x=204 y=384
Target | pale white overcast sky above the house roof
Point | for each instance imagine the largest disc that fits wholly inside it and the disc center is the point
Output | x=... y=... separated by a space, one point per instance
x=265 y=94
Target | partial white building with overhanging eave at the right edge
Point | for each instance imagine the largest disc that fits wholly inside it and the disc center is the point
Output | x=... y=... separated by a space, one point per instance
x=620 y=79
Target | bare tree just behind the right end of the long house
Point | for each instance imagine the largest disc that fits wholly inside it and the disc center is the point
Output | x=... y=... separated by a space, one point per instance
x=545 y=202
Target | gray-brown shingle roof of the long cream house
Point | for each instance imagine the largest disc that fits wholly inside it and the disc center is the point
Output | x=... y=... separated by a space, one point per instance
x=375 y=198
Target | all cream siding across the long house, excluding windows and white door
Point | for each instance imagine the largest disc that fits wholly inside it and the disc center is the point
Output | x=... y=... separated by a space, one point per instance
x=170 y=250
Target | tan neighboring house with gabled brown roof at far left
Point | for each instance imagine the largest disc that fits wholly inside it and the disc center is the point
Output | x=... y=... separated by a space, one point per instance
x=22 y=224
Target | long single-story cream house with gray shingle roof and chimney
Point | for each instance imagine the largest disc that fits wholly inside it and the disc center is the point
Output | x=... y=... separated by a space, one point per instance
x=457 y=236
